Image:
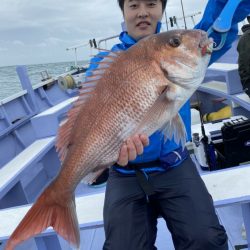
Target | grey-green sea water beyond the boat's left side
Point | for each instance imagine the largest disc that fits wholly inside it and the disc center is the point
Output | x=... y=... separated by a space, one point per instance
x=9 y=81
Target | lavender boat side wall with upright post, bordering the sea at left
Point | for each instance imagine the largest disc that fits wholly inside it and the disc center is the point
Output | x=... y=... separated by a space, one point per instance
x=25 y=108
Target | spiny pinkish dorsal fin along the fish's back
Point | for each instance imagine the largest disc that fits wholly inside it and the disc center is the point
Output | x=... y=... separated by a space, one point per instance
x=64 y=137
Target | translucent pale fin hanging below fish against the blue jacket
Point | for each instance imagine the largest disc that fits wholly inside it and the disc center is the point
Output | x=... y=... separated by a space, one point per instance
x=175 y=128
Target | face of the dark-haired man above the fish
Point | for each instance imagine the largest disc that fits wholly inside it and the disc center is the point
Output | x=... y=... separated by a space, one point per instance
x=141 y=17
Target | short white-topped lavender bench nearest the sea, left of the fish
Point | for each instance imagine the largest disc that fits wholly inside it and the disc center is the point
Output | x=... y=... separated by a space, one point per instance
x=47 y=122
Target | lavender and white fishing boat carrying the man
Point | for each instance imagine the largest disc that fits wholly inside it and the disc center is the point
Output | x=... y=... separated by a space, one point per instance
x=29 y=121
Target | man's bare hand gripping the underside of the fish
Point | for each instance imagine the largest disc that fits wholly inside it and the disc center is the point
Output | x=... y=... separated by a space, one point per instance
x=132 y=147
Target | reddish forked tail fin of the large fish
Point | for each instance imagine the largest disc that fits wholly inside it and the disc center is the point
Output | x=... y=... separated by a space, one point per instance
x=47 y=212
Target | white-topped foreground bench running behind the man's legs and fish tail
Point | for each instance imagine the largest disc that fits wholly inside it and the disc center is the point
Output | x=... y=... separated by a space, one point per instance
x=227 y=187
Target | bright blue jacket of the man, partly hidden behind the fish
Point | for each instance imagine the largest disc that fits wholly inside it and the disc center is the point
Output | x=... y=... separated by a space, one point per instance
x=168 y=153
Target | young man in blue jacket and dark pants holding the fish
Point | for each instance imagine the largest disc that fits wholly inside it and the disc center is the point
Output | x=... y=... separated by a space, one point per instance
x=154 y=178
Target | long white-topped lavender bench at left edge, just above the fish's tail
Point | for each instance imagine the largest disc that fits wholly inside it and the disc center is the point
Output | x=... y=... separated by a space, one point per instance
x=11 y=174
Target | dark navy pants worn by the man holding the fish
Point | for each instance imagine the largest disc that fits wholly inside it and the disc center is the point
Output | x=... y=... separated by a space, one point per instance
x=181 y=198
